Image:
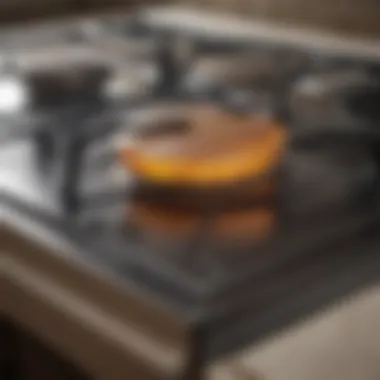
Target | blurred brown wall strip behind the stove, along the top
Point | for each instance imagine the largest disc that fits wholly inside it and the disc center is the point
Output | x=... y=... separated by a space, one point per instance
x=340 y=15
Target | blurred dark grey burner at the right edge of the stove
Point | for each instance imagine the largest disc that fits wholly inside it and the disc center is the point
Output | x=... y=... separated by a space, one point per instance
x=333 y=99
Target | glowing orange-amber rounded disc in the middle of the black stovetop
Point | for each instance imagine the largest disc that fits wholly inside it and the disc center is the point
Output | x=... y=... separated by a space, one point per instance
x=204 y=145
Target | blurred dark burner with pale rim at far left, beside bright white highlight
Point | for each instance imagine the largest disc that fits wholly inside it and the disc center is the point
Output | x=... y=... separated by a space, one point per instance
x=46 y=86
